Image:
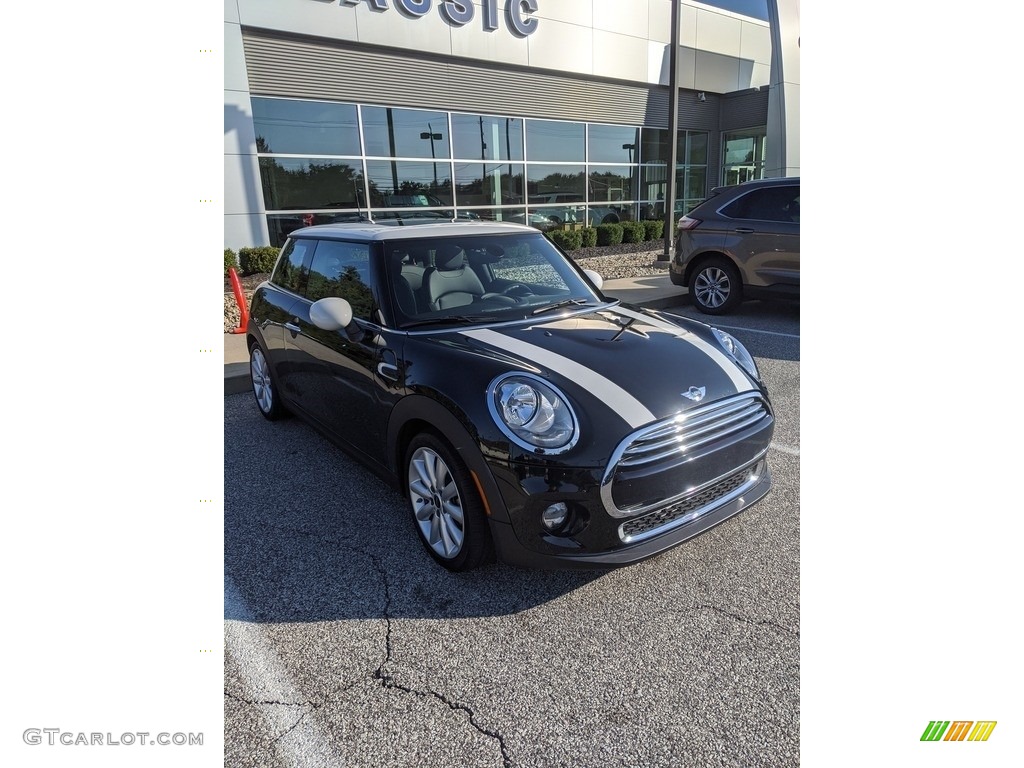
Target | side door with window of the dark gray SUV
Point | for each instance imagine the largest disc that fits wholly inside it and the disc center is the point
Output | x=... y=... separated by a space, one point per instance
x=763 y=233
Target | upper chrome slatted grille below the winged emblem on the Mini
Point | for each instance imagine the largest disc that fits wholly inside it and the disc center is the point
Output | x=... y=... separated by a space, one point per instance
x=695 y=430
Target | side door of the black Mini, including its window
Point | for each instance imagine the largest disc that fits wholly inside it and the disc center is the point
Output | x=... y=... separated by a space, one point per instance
x=334 y=374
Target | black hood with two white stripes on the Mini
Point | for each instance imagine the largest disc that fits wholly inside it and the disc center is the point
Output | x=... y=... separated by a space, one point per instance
x=639 y=364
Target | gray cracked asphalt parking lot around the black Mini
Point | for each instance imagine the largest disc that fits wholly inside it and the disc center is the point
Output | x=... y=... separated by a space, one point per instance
x=348 y=647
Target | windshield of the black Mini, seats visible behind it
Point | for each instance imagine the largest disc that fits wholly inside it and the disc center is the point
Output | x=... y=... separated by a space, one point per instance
x=445 y=281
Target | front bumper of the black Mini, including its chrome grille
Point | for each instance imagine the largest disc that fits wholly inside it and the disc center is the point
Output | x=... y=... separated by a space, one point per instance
x=664 y=484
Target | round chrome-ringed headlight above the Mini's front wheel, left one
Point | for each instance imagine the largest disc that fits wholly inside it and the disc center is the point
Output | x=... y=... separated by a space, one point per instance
x=533 y=414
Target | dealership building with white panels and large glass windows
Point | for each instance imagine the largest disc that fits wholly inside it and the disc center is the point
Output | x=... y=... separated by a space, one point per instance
x=544 y=112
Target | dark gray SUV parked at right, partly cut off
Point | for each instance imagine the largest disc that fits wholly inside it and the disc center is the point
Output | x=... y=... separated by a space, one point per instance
x=742 y=243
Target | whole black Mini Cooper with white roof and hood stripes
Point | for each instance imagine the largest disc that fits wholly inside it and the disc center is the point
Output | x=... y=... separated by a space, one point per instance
x=523 y=413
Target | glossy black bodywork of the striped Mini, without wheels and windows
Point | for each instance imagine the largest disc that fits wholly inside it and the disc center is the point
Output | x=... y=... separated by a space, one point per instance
x=672 y=431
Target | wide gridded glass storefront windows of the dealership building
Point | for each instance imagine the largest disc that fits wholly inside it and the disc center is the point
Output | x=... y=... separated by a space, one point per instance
x=325 y=162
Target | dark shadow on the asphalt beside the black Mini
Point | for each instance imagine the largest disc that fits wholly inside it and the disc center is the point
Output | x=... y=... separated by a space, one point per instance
x=312 y=536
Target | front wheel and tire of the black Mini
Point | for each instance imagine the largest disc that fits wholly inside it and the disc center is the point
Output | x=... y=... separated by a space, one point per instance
x=446 y=507
